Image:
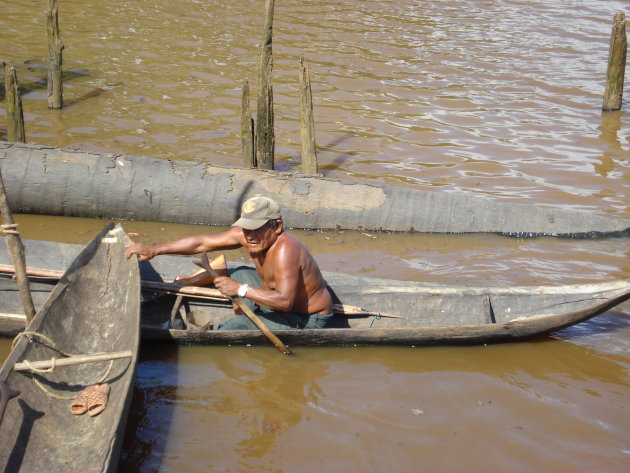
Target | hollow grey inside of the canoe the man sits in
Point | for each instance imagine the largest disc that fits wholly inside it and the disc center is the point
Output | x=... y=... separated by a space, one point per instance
x=425 y=308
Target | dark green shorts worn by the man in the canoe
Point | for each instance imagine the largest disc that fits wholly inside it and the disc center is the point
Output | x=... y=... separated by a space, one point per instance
x=272 y=319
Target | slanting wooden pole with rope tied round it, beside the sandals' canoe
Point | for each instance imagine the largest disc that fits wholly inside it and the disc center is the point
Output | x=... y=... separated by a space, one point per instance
x=16 y=250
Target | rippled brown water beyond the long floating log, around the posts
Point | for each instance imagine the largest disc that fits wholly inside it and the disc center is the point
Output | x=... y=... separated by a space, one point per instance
x=497 y=97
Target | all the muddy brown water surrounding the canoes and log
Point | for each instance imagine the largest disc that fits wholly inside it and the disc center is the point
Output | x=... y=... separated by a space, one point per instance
x=499 y=98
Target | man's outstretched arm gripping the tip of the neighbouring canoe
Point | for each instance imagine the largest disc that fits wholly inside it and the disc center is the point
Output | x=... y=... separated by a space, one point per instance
x=228 y=240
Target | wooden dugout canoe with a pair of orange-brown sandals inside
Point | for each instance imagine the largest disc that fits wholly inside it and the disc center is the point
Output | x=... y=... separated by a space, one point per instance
x=94 y=309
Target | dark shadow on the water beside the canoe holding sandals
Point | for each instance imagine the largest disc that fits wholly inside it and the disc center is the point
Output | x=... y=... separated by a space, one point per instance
x=152 y=409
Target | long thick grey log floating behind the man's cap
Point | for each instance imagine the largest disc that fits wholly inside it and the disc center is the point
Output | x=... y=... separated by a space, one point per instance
x=54 y=181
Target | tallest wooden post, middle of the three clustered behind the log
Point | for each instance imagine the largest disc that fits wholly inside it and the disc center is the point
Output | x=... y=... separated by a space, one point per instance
x=265 y=140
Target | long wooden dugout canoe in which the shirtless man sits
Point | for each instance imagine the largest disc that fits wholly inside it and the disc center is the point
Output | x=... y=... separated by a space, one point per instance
x=431 y=315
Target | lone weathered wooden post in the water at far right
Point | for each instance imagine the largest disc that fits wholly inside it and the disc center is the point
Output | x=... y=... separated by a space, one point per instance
x=613 y=92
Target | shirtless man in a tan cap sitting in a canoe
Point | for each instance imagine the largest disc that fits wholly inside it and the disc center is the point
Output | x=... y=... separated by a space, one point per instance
x=286 y=290
